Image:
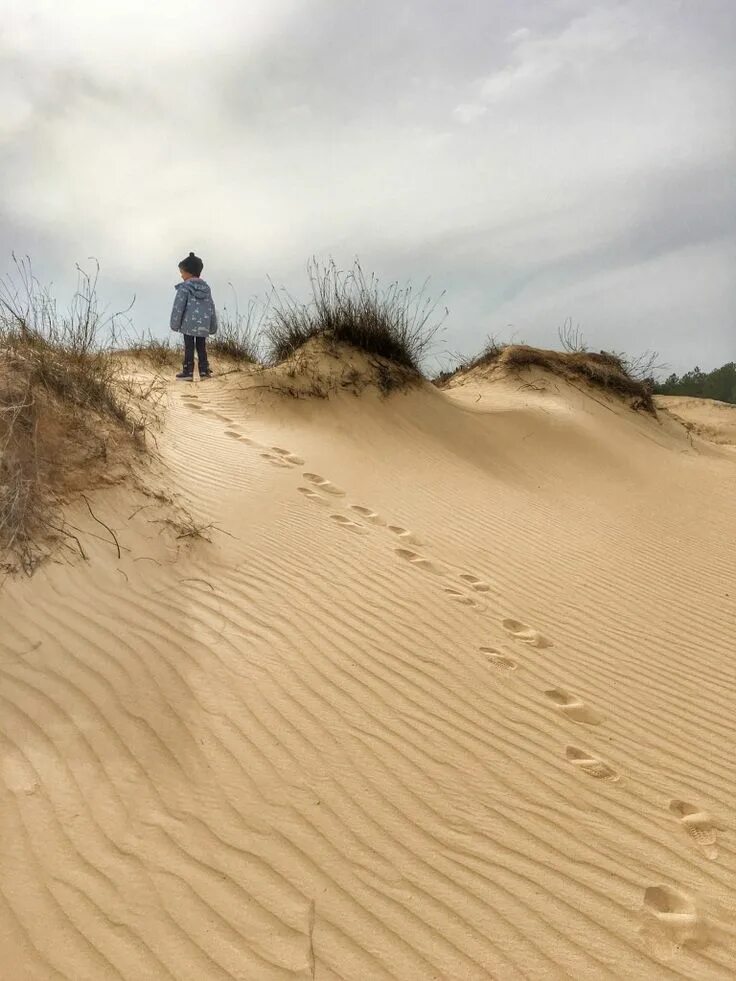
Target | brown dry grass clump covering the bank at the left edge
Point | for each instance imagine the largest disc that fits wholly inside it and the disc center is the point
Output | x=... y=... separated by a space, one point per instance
x=65 y=408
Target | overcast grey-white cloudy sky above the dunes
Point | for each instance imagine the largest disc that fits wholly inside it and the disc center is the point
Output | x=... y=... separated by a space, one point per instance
x=537 y=159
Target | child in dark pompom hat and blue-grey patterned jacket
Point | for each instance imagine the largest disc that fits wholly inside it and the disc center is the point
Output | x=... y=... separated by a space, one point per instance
x=194 y=316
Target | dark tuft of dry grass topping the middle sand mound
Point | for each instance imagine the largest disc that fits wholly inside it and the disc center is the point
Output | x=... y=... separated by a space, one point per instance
x=391 y=323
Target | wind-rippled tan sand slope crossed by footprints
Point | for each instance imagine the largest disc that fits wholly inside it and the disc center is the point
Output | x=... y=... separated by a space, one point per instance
x=450 y=695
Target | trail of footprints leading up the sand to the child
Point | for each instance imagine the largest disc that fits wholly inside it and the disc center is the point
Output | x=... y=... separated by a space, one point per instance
x=670 y=916
